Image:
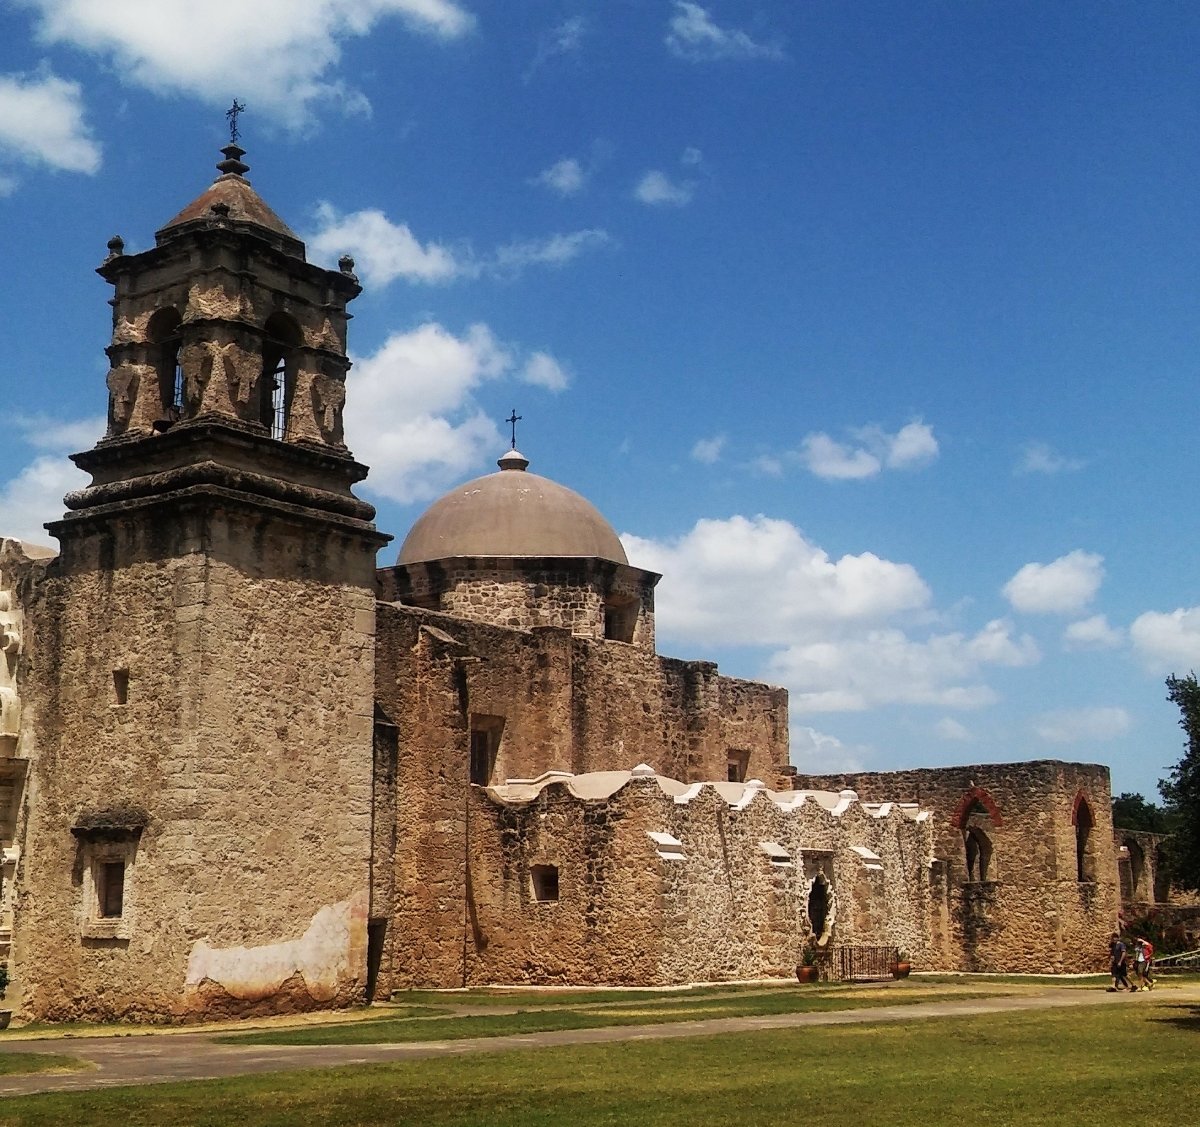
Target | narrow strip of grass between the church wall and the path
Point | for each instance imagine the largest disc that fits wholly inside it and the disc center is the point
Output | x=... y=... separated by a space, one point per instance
x=746 y=1003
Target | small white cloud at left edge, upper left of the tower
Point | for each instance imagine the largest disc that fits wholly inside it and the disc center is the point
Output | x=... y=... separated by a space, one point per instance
x=43 y=123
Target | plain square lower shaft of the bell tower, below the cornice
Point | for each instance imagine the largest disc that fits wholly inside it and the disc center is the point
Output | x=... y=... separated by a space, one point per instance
x=203 y=687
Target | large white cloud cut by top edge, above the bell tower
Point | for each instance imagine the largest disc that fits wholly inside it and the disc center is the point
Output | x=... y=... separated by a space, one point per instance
x=279 y=56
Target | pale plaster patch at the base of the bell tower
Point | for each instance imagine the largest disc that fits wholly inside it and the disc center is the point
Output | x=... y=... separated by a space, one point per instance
x=328 y=956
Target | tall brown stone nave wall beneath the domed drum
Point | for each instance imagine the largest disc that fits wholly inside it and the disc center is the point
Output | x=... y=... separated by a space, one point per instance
x=563 y=704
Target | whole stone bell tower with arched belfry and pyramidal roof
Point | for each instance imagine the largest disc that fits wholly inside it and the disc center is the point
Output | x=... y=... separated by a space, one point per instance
x=200 y=800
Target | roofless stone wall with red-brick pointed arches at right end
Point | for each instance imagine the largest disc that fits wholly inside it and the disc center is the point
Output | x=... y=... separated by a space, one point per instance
x=1029 y=912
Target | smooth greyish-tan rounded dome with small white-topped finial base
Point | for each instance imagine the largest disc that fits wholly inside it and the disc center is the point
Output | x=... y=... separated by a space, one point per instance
x=513 y=513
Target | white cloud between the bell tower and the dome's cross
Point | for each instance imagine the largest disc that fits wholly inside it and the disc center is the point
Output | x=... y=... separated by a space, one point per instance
x=411 y=411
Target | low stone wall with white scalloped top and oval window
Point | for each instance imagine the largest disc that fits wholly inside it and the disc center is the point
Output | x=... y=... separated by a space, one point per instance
x=657 y=884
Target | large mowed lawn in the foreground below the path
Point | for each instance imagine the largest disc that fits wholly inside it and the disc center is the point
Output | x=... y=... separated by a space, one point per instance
x=1131 y=1063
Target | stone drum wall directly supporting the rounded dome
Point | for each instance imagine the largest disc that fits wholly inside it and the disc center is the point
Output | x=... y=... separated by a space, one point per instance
x=592 y=598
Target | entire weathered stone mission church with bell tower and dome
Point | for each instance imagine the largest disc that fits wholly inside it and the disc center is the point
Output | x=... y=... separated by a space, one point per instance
x=244 y=771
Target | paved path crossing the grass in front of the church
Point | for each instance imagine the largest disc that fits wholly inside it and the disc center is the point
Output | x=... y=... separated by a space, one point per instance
x=159 y=1058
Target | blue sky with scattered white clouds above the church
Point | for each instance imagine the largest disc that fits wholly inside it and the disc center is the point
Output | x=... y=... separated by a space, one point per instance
x=872 y=326
